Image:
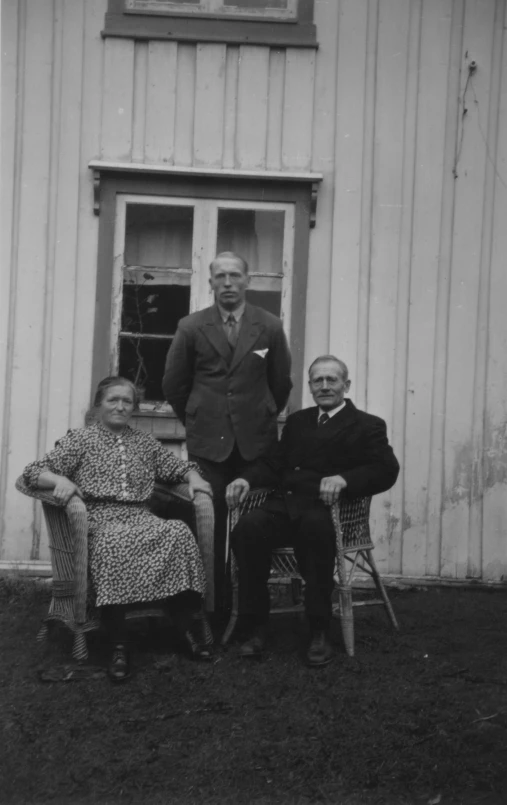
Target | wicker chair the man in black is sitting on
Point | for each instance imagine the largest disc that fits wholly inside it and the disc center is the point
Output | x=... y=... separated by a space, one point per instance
x=353 y=543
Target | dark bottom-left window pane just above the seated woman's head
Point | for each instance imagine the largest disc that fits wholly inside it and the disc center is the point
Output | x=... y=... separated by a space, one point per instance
x=142 y=360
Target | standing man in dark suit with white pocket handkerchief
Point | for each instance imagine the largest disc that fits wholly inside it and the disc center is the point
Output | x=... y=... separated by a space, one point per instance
x=227 y=376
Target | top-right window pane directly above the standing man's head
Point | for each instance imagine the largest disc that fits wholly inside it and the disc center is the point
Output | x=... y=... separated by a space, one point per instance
x=257 y=235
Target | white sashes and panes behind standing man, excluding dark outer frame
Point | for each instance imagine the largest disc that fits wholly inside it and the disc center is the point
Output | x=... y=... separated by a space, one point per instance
x=163 y=247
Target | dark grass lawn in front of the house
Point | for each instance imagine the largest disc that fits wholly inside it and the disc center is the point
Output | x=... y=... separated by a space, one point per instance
x=419 y=717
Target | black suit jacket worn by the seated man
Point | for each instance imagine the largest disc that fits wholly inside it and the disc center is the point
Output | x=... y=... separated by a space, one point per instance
x=352 y=444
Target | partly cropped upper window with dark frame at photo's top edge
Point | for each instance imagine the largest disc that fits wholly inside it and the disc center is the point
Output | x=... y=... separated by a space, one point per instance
x=278 y=23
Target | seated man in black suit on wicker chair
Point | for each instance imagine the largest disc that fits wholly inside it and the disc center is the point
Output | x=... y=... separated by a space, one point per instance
x=324 y=451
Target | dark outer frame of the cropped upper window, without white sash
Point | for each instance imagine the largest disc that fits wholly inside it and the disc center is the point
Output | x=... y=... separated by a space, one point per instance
x=189 y=26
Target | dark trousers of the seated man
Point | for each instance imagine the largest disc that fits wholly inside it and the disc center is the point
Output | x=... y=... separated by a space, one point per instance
x=312 y=536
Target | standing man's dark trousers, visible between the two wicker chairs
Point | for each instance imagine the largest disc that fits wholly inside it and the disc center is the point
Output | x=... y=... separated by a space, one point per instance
x=220 y=474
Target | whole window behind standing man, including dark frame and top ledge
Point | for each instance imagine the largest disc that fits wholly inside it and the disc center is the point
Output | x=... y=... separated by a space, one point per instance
x=157 y=236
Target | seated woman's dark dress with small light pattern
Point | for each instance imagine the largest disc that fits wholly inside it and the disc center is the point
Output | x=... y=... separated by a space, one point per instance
x=134 y=555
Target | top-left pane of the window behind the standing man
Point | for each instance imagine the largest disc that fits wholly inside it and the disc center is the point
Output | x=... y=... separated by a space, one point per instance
x=159 y=235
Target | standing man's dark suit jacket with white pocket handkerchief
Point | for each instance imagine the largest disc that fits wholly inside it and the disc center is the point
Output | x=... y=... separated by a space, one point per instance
x=224 y=397
